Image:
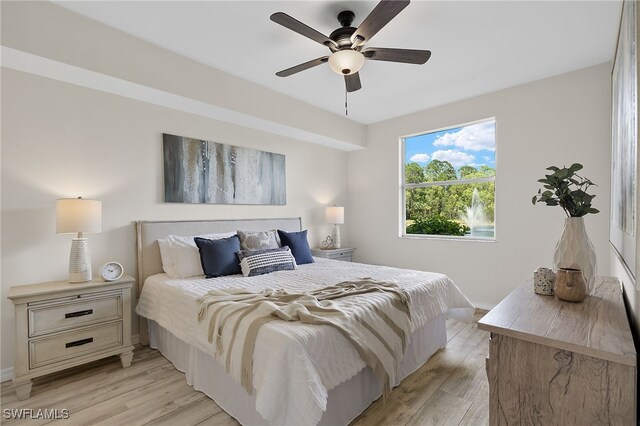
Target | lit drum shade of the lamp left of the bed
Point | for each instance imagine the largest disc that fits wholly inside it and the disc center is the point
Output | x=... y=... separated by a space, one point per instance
x=75 y=215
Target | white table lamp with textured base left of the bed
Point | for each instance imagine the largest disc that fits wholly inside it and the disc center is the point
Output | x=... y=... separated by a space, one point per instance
x=77 y=215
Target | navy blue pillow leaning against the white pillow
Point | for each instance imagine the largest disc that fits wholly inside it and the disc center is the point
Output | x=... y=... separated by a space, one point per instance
x=218 y=257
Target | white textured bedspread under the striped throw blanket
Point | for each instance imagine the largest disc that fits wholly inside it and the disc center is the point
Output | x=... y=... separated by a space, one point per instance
x=296 y=364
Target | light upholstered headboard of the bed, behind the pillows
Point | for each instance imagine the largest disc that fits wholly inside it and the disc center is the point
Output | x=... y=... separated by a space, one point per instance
x=148 y=233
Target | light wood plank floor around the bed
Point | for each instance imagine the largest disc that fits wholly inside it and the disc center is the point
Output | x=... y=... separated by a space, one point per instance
x=450 y=389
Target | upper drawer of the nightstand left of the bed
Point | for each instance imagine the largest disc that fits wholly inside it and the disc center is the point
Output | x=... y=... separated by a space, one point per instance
x=65 y=314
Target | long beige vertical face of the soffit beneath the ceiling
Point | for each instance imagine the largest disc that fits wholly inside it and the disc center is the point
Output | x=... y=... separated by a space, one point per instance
x=49 y=31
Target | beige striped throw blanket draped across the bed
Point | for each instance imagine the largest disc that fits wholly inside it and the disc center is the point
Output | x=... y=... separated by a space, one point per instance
x=377 y=322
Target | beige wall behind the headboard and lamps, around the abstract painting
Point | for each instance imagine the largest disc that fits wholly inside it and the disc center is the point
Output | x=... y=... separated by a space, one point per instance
x=61 y=140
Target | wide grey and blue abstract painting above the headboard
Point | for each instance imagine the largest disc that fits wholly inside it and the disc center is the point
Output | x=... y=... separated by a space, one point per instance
x=199 y=171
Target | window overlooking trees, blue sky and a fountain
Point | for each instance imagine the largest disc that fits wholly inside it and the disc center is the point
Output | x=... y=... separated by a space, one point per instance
x=448 y=182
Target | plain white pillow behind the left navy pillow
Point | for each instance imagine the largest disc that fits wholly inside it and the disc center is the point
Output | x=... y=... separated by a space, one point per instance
x=180 y=255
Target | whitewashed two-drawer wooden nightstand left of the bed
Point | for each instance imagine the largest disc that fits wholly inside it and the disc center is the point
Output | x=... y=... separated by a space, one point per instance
x=61 y=325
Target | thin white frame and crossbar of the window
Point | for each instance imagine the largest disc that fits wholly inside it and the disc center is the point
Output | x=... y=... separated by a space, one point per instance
x=405 y=186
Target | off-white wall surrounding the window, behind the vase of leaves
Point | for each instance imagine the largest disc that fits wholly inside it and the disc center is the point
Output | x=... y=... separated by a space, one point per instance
x=555 y=121
